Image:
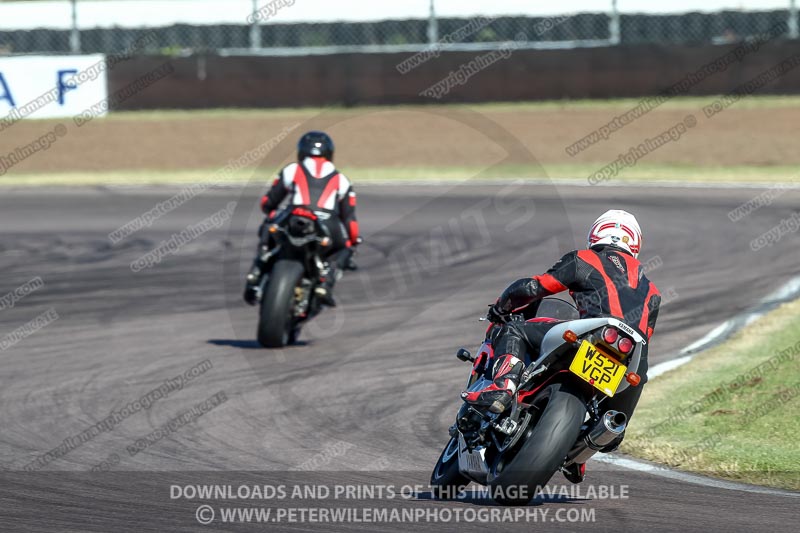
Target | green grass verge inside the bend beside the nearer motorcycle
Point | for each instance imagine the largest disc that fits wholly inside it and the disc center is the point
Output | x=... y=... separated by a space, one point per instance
x=732 y=411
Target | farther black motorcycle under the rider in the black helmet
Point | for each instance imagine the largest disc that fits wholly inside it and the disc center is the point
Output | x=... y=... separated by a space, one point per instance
x=291 y=258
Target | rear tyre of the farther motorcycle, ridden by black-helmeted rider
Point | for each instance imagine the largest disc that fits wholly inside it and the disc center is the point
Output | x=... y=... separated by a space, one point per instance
x=275 y=323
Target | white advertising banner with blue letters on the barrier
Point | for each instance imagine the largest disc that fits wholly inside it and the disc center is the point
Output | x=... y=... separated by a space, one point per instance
x=50 y=86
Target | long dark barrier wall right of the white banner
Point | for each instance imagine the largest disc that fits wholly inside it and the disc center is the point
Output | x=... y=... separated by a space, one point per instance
x=373 y=79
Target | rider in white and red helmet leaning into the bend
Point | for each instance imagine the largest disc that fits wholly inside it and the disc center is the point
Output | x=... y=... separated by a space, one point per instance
x=605 y=280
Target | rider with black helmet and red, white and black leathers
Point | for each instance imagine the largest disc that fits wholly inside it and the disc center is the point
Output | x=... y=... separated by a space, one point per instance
x=314 y=183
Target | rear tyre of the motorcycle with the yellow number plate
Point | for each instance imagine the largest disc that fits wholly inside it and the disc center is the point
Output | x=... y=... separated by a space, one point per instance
x=543 y=452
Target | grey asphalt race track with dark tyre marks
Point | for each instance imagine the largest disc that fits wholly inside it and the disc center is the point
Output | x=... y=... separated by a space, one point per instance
x=368 y=395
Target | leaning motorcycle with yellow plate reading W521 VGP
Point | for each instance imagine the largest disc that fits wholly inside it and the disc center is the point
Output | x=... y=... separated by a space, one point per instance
x=557 y=417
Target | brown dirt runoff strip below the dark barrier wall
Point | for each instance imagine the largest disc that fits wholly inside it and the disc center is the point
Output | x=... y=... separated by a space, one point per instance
x=430 y=136
